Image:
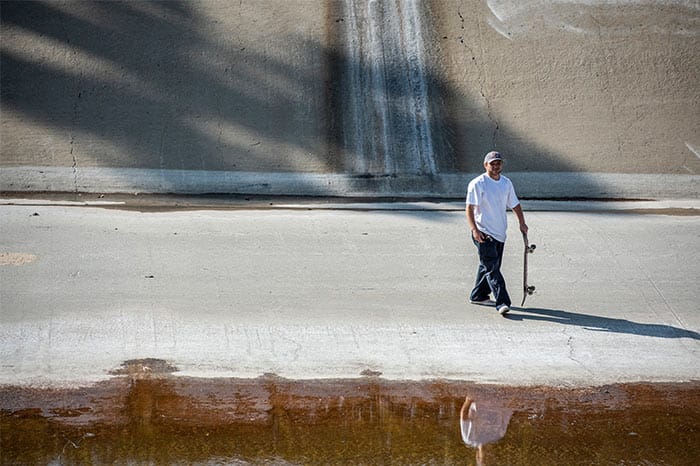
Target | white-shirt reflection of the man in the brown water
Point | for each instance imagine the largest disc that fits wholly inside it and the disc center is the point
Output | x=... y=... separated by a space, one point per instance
x=483 y=423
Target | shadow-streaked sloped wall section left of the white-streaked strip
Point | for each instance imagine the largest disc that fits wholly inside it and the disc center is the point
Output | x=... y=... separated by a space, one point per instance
x=175 y=85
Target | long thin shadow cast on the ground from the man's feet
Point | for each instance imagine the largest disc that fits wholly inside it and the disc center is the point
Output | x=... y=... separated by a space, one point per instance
x=603 y=324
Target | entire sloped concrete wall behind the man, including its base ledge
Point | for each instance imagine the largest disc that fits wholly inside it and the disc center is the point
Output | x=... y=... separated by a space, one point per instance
x=595 y=98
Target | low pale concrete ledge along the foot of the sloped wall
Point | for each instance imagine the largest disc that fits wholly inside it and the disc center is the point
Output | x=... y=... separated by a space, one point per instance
x=449 y=185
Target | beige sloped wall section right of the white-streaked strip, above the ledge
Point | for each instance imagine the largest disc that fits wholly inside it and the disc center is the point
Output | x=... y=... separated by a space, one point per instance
x=595 y=86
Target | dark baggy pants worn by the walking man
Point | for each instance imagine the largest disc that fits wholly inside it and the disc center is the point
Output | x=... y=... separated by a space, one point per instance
x=488 y=276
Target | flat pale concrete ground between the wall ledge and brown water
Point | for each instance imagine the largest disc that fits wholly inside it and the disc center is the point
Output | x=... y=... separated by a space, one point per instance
x=322 y=290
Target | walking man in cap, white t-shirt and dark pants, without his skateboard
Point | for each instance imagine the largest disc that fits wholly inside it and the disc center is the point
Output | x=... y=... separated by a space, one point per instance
x=488 y=197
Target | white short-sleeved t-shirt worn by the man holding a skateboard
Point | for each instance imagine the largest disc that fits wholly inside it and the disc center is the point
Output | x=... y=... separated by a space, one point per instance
x=491 y=198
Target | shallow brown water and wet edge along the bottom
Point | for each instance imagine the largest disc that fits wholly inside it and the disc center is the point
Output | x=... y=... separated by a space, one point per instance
x=147 y=415
